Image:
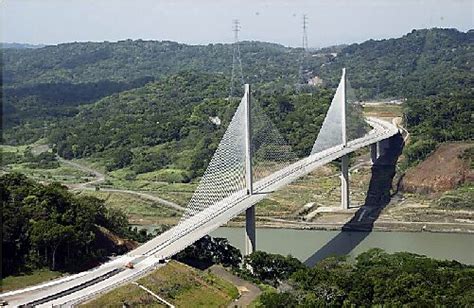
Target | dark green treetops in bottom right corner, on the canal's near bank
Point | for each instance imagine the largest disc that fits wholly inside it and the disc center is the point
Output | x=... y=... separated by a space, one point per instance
x=375 y=279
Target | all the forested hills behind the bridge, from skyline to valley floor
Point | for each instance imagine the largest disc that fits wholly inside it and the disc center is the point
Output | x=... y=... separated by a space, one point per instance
x=129 y=100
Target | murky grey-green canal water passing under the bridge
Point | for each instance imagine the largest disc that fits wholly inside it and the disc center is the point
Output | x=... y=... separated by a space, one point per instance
x=313 y=245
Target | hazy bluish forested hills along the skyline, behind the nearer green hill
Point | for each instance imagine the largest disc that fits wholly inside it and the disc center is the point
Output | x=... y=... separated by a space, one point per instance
x=42 y=86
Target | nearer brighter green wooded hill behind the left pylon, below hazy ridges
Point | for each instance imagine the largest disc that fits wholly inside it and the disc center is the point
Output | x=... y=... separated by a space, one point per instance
x=169 y=124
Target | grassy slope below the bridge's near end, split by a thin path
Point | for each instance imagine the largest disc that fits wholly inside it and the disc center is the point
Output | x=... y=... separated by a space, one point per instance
x=179 y=284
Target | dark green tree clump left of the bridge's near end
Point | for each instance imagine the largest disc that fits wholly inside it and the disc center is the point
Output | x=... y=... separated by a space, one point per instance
x=47 y=226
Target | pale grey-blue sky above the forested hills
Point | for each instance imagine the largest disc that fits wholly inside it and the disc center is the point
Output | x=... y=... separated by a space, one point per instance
x=210 y=21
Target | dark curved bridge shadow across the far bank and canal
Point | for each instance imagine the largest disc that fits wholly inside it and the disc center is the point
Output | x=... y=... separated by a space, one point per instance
x=378 y=196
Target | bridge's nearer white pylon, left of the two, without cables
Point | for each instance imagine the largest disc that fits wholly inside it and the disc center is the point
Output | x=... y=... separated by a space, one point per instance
x=250 y=233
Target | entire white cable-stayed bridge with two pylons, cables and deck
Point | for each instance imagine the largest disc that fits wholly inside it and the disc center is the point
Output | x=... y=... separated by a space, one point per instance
x=251 y=161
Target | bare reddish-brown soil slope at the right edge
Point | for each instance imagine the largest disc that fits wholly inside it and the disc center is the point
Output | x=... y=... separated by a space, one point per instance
x=443 y=170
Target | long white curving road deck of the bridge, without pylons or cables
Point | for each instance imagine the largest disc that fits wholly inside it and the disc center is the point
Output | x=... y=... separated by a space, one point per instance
x=83 y=286
